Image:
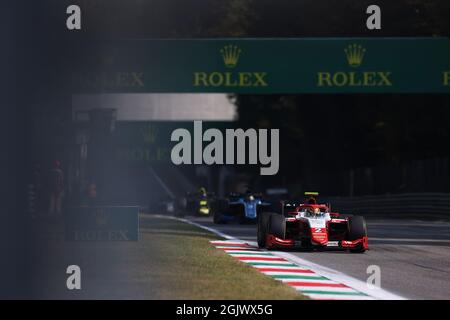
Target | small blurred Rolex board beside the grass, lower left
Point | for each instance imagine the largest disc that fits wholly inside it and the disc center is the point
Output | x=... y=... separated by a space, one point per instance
x=118 y=223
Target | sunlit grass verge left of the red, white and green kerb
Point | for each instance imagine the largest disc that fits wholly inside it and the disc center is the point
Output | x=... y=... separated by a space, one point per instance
x=186 y=266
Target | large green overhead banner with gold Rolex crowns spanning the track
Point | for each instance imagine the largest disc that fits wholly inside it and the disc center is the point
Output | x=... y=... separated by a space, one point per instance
x=337 y=65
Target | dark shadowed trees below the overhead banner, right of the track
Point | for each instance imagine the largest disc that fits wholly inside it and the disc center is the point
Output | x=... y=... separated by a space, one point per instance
x=338 y=132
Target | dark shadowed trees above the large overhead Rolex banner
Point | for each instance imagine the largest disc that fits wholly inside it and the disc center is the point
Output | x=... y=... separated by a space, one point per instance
x=263 y=18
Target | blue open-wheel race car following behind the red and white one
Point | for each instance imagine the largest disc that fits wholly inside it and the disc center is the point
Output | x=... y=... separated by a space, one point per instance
x=242 y=208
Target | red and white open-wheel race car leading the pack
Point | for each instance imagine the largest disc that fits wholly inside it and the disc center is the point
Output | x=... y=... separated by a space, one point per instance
x=311 y=225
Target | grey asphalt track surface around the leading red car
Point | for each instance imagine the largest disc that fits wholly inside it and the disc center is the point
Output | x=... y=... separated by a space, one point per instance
x=413 y=255
